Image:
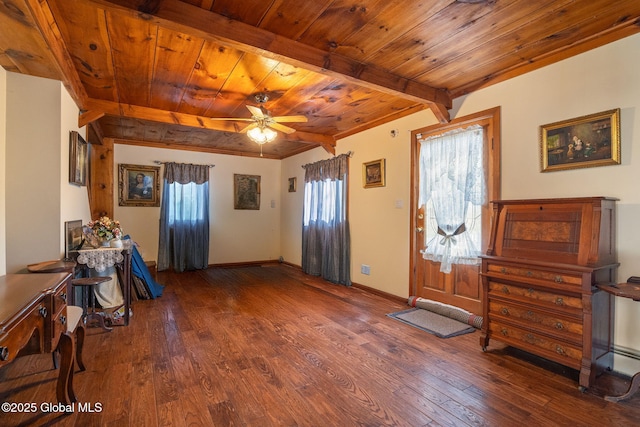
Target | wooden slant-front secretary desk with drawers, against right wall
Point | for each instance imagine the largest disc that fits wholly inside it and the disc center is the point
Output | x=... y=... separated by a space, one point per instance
x=540 y=275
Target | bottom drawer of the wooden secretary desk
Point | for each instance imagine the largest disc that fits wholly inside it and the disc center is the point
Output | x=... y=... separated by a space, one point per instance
x=537 y=343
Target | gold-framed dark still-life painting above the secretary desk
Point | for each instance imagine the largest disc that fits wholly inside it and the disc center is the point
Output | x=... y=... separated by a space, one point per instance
x=587 y=141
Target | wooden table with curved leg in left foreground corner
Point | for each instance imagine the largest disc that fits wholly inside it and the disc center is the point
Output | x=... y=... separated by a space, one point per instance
x=33 y=313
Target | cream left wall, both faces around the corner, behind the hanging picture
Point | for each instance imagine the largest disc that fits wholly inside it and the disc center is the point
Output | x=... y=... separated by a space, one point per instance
x=39 y=199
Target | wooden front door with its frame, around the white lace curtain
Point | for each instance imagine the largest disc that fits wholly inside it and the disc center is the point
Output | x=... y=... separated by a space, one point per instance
x=461 y=287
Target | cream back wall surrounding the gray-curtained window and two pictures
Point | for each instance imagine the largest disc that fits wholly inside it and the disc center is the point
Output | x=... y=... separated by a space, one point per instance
x=236 y=235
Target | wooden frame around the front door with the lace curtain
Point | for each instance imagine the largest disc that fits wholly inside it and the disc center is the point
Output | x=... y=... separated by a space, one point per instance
x=490 y=119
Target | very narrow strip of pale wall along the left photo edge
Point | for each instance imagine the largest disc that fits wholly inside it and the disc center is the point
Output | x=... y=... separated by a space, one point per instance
x=3 y=161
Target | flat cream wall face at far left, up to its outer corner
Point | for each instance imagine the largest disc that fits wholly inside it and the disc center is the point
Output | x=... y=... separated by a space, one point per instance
x=33 y=153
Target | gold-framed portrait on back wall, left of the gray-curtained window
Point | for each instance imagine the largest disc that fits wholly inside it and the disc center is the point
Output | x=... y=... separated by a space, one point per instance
x=139 y=185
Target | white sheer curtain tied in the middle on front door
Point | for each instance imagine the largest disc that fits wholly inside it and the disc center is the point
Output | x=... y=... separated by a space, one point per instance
x=452 y=185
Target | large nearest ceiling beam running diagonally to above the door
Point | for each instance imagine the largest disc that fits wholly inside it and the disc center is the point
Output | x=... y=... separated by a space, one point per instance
x=183 y=17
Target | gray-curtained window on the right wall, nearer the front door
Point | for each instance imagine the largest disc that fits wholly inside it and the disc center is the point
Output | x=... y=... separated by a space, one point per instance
x=326 y=244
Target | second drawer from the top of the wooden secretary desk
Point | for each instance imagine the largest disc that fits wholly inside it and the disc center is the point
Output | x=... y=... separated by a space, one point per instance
x=530 y=295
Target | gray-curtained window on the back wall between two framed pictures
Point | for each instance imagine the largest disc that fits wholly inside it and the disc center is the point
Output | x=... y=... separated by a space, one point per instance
x=184 y=218
